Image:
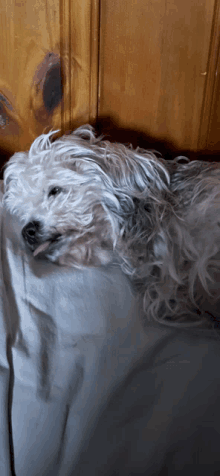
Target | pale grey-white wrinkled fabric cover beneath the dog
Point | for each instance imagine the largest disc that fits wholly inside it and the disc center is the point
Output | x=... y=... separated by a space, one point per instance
x=84 y=390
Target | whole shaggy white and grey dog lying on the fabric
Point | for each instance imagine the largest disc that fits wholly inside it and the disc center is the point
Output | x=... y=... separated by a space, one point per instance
x=83 y=200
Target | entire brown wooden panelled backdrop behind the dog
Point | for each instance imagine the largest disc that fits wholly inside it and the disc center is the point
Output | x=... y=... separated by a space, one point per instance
x=146 y=67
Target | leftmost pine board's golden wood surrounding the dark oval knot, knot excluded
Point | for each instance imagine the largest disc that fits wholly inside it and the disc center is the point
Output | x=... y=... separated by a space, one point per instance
x=29 y=31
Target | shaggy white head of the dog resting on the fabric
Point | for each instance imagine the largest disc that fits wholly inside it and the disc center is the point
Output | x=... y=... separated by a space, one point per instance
x=77 y=195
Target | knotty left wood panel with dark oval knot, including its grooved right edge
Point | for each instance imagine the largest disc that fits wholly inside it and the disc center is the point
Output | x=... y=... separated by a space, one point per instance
x=48 y=67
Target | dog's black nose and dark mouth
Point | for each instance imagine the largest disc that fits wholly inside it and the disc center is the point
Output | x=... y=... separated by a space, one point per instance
x=32 y=235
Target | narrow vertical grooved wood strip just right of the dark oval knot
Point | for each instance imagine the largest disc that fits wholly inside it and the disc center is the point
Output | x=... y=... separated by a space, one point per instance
x=79 y=51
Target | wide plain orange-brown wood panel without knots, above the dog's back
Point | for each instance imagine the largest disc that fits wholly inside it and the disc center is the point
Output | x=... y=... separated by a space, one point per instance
x=153 y=66
